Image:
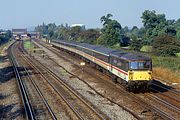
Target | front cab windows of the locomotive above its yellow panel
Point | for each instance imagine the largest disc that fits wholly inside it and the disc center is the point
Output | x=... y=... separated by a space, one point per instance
x=144 y=65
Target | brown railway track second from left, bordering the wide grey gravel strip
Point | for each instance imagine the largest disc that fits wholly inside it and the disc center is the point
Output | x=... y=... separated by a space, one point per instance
x=82 y=108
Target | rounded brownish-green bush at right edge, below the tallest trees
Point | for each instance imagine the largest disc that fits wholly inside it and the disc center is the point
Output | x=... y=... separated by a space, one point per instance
x=166 y=45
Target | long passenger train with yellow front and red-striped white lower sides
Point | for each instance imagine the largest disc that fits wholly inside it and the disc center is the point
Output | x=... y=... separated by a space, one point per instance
x=134 y=71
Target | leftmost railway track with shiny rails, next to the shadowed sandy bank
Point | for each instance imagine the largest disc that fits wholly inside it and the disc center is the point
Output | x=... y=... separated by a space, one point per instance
x=39 y=106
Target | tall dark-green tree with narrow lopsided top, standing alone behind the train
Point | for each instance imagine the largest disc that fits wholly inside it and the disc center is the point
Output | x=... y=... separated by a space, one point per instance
x=110 y=32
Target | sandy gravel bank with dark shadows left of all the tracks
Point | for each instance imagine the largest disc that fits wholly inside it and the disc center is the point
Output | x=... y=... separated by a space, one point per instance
x=10 y=100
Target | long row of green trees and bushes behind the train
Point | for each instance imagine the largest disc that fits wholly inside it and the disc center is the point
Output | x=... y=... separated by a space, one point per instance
x=162 y=35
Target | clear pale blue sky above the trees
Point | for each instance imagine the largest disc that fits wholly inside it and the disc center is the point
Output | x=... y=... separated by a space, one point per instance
x=27 y=13
